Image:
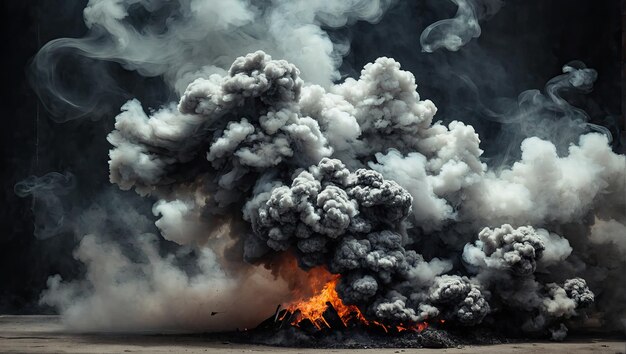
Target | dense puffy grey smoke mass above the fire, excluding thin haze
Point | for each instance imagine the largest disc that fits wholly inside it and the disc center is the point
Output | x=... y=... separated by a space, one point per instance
x=243 y=142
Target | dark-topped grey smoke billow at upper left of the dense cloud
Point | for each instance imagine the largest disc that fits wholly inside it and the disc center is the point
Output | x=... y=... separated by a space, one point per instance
x=280 y=133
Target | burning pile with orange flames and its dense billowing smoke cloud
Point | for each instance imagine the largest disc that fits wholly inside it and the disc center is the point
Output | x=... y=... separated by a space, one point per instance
x=394 y=220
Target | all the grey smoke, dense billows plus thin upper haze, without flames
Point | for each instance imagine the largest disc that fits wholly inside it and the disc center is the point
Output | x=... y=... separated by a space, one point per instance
x=265 y=153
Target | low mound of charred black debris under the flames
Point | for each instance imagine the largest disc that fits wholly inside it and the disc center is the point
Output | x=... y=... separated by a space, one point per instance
x=292 y=329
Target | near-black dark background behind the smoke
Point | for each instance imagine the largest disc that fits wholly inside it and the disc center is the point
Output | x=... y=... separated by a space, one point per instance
x=521 y=48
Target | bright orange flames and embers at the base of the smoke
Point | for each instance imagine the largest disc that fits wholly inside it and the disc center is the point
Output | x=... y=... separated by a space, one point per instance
x=314 y=307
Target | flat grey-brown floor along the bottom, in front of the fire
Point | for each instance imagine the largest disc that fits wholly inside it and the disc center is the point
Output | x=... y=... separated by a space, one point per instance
x=45 y=334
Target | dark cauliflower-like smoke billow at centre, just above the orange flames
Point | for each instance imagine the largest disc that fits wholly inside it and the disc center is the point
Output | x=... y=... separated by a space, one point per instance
x=323 y=205
